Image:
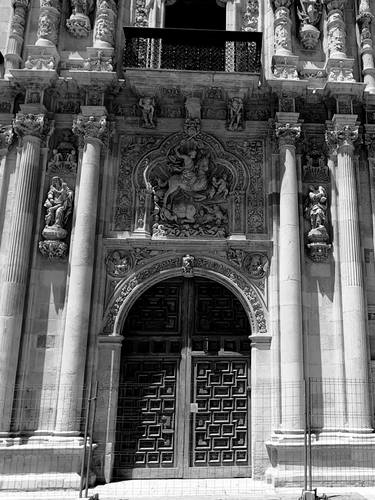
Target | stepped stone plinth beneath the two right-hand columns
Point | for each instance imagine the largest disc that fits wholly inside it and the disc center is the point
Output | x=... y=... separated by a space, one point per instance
x=338 y=458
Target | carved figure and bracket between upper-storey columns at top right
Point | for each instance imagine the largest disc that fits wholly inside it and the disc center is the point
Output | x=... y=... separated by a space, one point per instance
x=309 y=13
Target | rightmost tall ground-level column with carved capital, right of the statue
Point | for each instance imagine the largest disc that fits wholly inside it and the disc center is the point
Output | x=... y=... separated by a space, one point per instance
x=343 y=137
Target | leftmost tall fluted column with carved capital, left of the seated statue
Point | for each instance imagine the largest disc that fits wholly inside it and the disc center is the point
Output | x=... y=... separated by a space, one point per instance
x=14 y=272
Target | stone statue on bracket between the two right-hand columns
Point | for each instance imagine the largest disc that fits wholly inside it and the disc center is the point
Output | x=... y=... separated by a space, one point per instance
x=316 y=206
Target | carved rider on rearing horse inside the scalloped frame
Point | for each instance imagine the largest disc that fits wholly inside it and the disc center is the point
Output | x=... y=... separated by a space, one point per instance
x=190 y=194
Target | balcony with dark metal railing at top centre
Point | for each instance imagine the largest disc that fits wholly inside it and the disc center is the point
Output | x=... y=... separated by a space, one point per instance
x=191 y=58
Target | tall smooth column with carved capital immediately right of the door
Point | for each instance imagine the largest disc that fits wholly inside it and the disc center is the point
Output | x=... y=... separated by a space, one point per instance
x=291 y=353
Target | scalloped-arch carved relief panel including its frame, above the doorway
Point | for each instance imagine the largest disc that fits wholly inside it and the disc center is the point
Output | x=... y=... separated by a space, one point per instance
x=194 y=188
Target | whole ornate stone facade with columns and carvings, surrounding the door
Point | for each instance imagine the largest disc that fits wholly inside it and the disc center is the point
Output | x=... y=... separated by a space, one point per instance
x=120 y=168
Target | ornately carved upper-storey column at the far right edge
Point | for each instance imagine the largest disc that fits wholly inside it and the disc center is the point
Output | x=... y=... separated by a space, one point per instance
x=364 y=20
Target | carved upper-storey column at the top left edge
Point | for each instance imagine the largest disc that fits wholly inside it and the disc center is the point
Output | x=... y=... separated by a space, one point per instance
x=14 y=45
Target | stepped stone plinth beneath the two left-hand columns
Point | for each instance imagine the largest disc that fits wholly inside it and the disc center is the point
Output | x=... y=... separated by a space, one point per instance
x=40 y=462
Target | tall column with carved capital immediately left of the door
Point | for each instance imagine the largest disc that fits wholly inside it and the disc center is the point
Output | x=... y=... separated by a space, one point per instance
x=92 y=131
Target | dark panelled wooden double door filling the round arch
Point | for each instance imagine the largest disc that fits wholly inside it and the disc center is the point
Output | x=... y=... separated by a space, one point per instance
x=183 y=406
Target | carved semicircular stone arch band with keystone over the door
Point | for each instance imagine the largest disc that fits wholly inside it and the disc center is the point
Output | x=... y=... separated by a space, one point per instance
x=131 y=287
